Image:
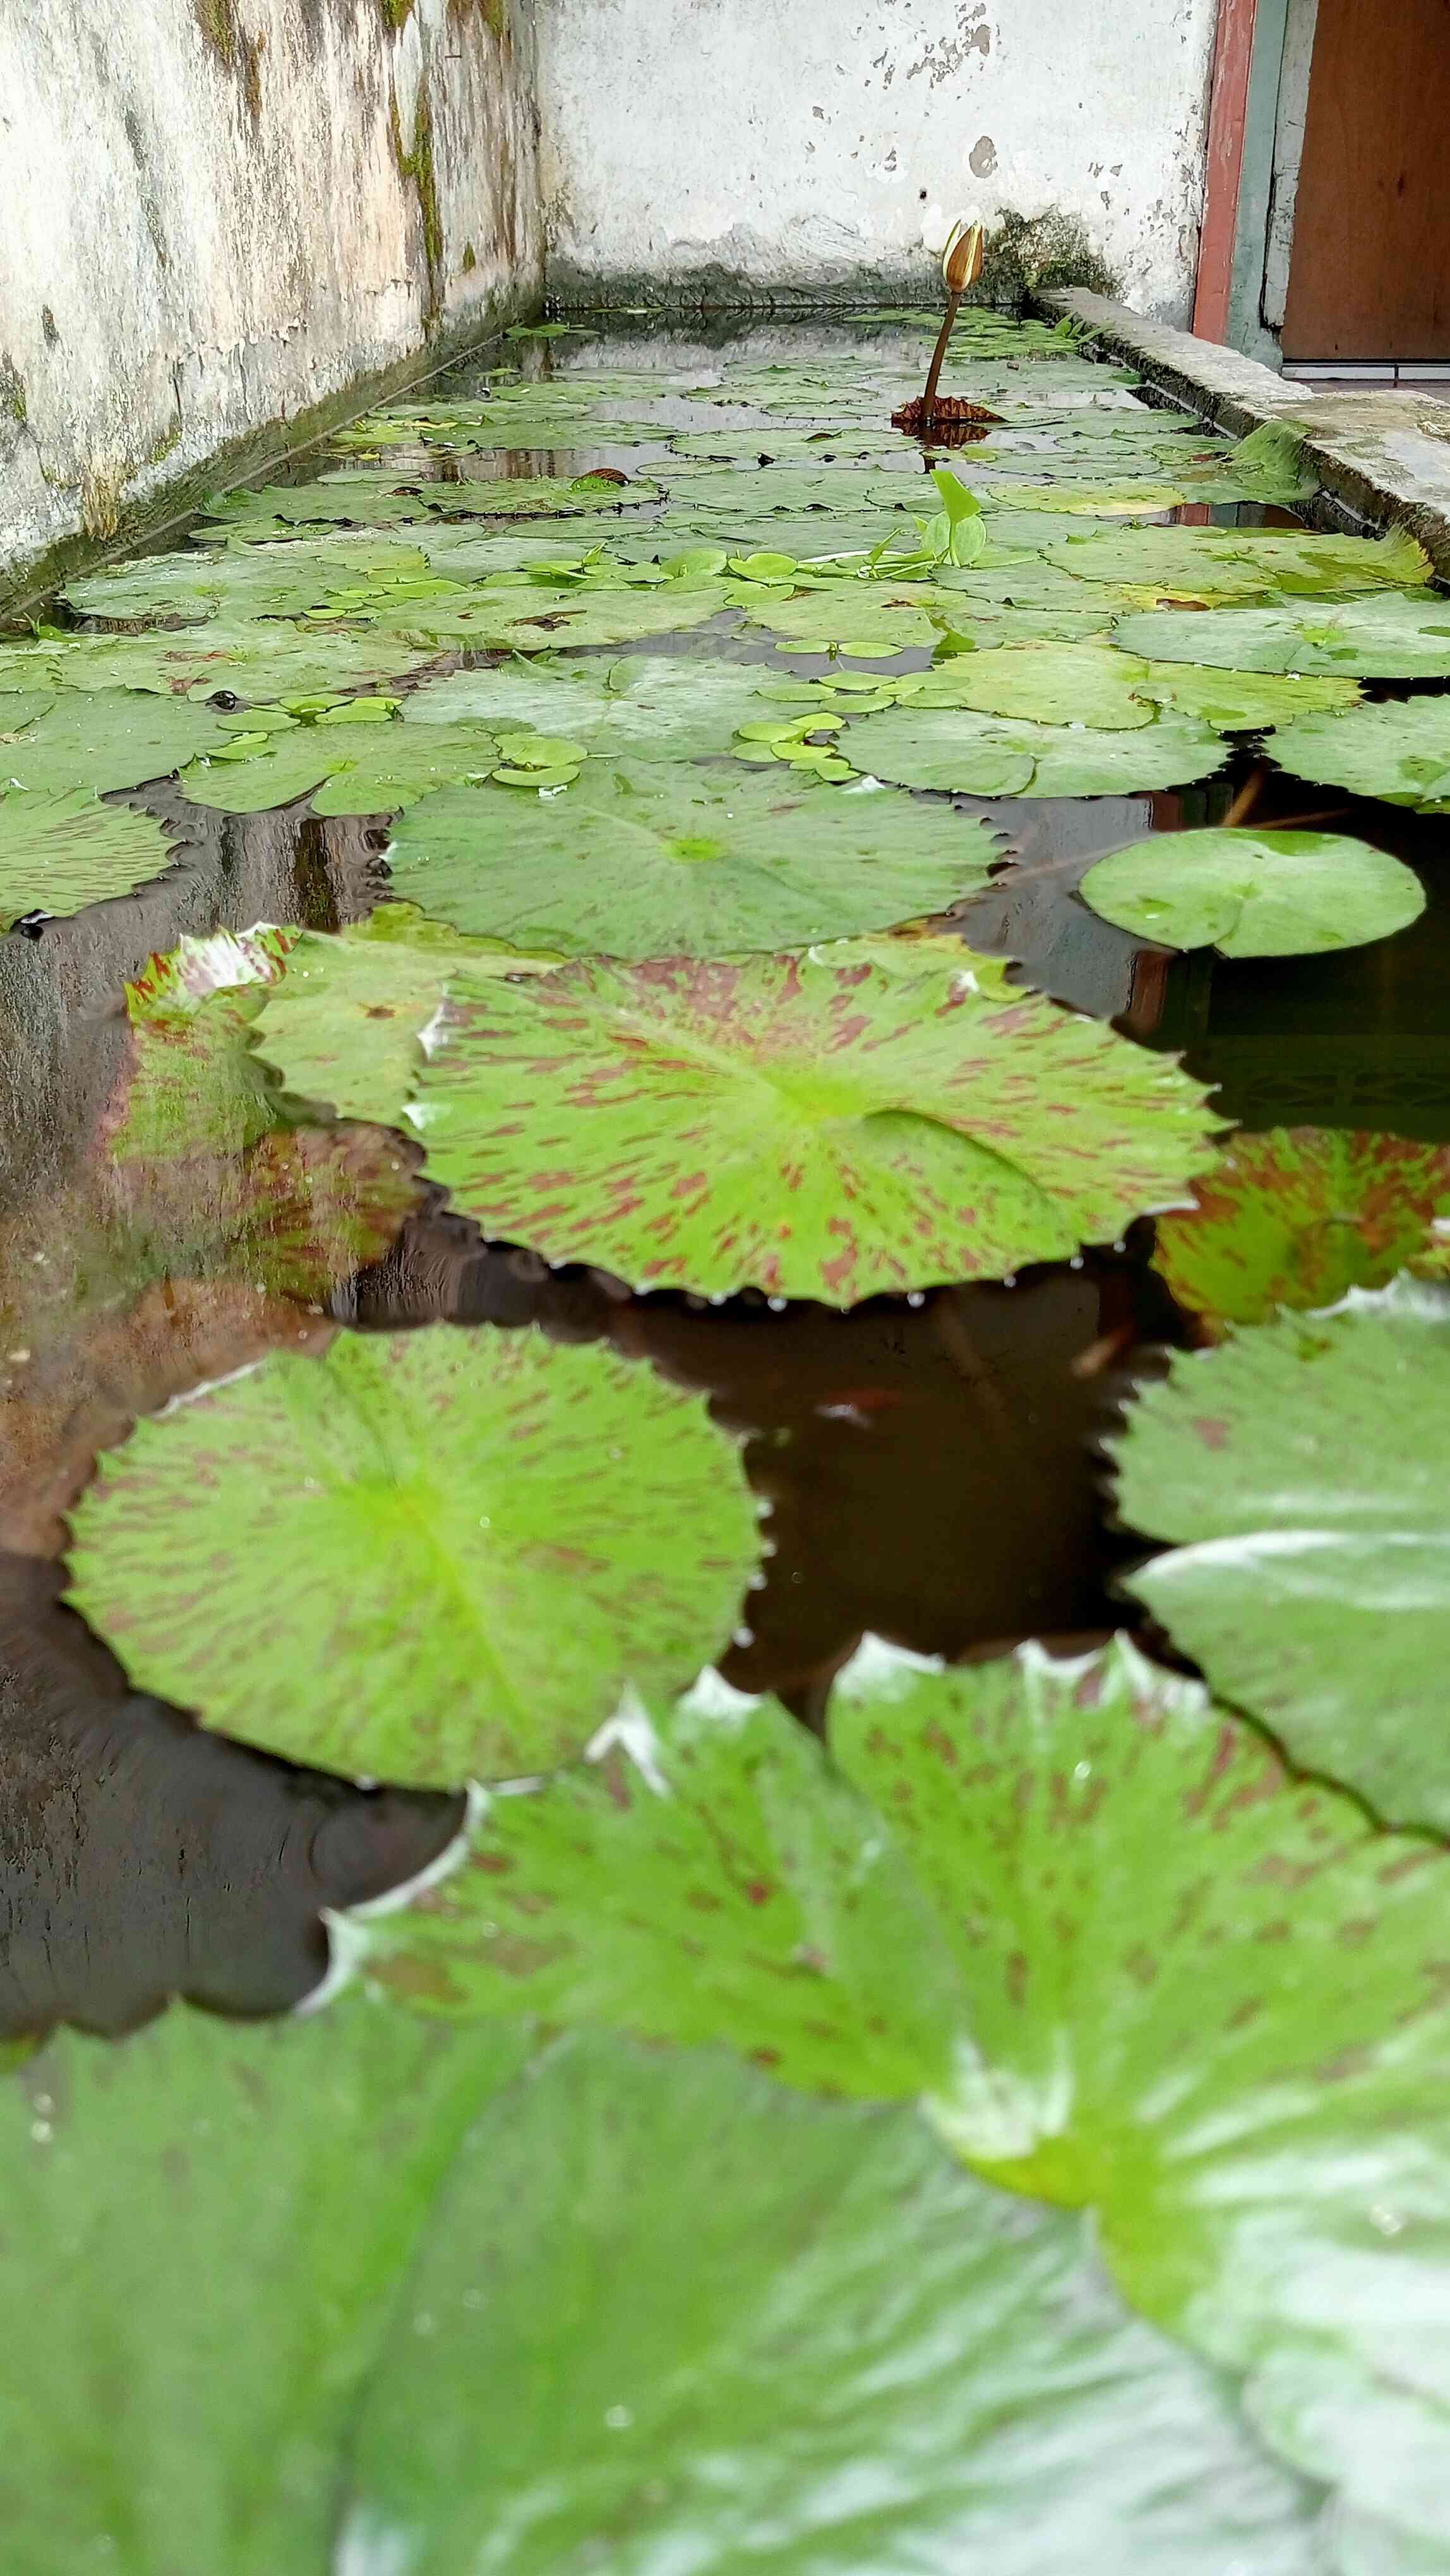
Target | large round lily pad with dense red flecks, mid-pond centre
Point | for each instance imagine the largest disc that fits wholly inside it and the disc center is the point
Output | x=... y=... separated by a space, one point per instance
x=815 y=1127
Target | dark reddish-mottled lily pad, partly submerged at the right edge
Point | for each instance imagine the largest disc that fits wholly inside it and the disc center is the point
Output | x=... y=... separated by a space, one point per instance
x=1297 y=1220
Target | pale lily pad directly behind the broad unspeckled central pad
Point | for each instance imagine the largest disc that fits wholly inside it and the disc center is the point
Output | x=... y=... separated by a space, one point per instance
x=648 y=707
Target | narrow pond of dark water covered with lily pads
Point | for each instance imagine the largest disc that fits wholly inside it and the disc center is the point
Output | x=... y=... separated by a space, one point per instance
x=725 y=1495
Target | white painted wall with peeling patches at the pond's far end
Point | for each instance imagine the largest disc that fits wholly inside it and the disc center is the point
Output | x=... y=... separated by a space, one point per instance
x=789 y=143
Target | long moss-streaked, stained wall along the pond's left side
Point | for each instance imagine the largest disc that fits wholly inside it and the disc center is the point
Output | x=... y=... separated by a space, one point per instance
x=218 y=215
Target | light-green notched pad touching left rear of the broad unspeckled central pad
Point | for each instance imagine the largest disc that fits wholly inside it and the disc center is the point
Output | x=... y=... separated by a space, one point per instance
x=344 y=769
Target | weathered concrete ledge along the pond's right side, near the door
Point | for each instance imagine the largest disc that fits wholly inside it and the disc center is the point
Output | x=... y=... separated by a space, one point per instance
x=1384 y=457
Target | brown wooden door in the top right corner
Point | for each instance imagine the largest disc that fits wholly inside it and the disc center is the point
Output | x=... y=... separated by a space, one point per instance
x=1371 y=241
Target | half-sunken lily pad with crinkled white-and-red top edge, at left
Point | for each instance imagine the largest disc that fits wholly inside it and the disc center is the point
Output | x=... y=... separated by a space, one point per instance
x=197 y=1086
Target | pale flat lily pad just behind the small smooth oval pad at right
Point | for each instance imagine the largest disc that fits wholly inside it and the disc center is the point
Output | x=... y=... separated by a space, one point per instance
x=995 y=756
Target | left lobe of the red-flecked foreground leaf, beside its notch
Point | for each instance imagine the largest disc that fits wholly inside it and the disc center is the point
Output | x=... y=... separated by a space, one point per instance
x=704 y=1879
